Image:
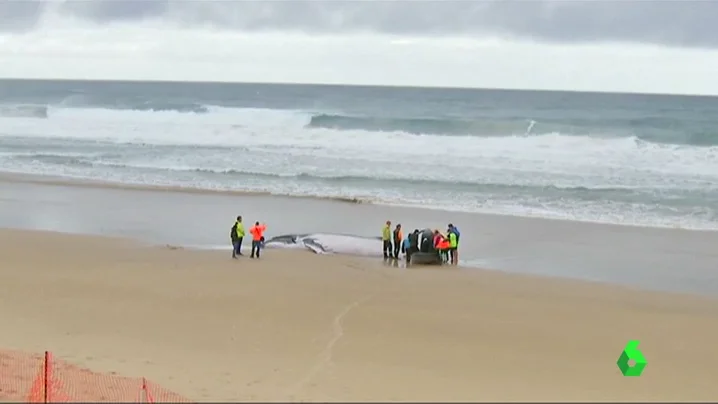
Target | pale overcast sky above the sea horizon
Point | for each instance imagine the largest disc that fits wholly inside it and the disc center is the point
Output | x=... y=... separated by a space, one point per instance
x=686 y=29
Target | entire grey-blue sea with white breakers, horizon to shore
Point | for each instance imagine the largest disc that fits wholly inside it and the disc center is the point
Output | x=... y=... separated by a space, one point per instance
x=628 y=159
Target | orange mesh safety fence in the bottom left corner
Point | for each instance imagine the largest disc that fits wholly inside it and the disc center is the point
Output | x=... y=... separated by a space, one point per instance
x=41 y=378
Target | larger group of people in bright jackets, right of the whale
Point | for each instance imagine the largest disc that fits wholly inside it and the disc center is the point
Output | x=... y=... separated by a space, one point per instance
x=446 y=245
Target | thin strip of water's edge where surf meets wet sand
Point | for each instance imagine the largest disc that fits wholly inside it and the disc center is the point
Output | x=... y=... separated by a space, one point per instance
x=42 y=179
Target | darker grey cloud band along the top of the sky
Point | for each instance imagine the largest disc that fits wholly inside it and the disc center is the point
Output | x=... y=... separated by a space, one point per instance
x=678 y=23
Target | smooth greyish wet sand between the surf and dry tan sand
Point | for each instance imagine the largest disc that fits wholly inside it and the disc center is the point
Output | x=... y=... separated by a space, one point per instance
x=660 y=259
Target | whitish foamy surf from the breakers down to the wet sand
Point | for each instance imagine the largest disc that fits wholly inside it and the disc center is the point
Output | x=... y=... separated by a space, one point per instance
x=198 y=149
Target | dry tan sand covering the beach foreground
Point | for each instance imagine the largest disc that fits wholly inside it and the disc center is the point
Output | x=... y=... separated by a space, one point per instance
x=295 y=326
